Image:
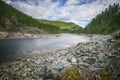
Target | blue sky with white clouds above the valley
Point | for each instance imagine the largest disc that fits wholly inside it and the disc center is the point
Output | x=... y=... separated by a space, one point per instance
x=80 y=12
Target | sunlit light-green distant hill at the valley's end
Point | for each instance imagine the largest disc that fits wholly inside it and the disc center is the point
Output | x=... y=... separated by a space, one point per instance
x=64 y=26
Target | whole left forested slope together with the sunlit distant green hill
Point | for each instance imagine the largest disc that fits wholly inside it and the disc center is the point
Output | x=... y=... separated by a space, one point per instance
x=12 y=20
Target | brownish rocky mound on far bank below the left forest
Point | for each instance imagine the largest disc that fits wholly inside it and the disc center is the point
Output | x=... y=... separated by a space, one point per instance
x=23 y=33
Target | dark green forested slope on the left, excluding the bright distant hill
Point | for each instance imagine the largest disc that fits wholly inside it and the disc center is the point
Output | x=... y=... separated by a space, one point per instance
x=12 y=19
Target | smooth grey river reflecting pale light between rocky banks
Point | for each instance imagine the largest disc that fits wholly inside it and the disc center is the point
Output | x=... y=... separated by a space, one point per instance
x=12 y=48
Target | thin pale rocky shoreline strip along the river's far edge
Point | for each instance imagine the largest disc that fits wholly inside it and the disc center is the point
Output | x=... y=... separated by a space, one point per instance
x=19 y=35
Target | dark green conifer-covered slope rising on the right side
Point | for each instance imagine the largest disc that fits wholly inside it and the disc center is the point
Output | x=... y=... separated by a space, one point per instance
x=105 y=23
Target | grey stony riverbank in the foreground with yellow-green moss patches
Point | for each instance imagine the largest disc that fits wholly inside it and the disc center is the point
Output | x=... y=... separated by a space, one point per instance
x=98 y=59
